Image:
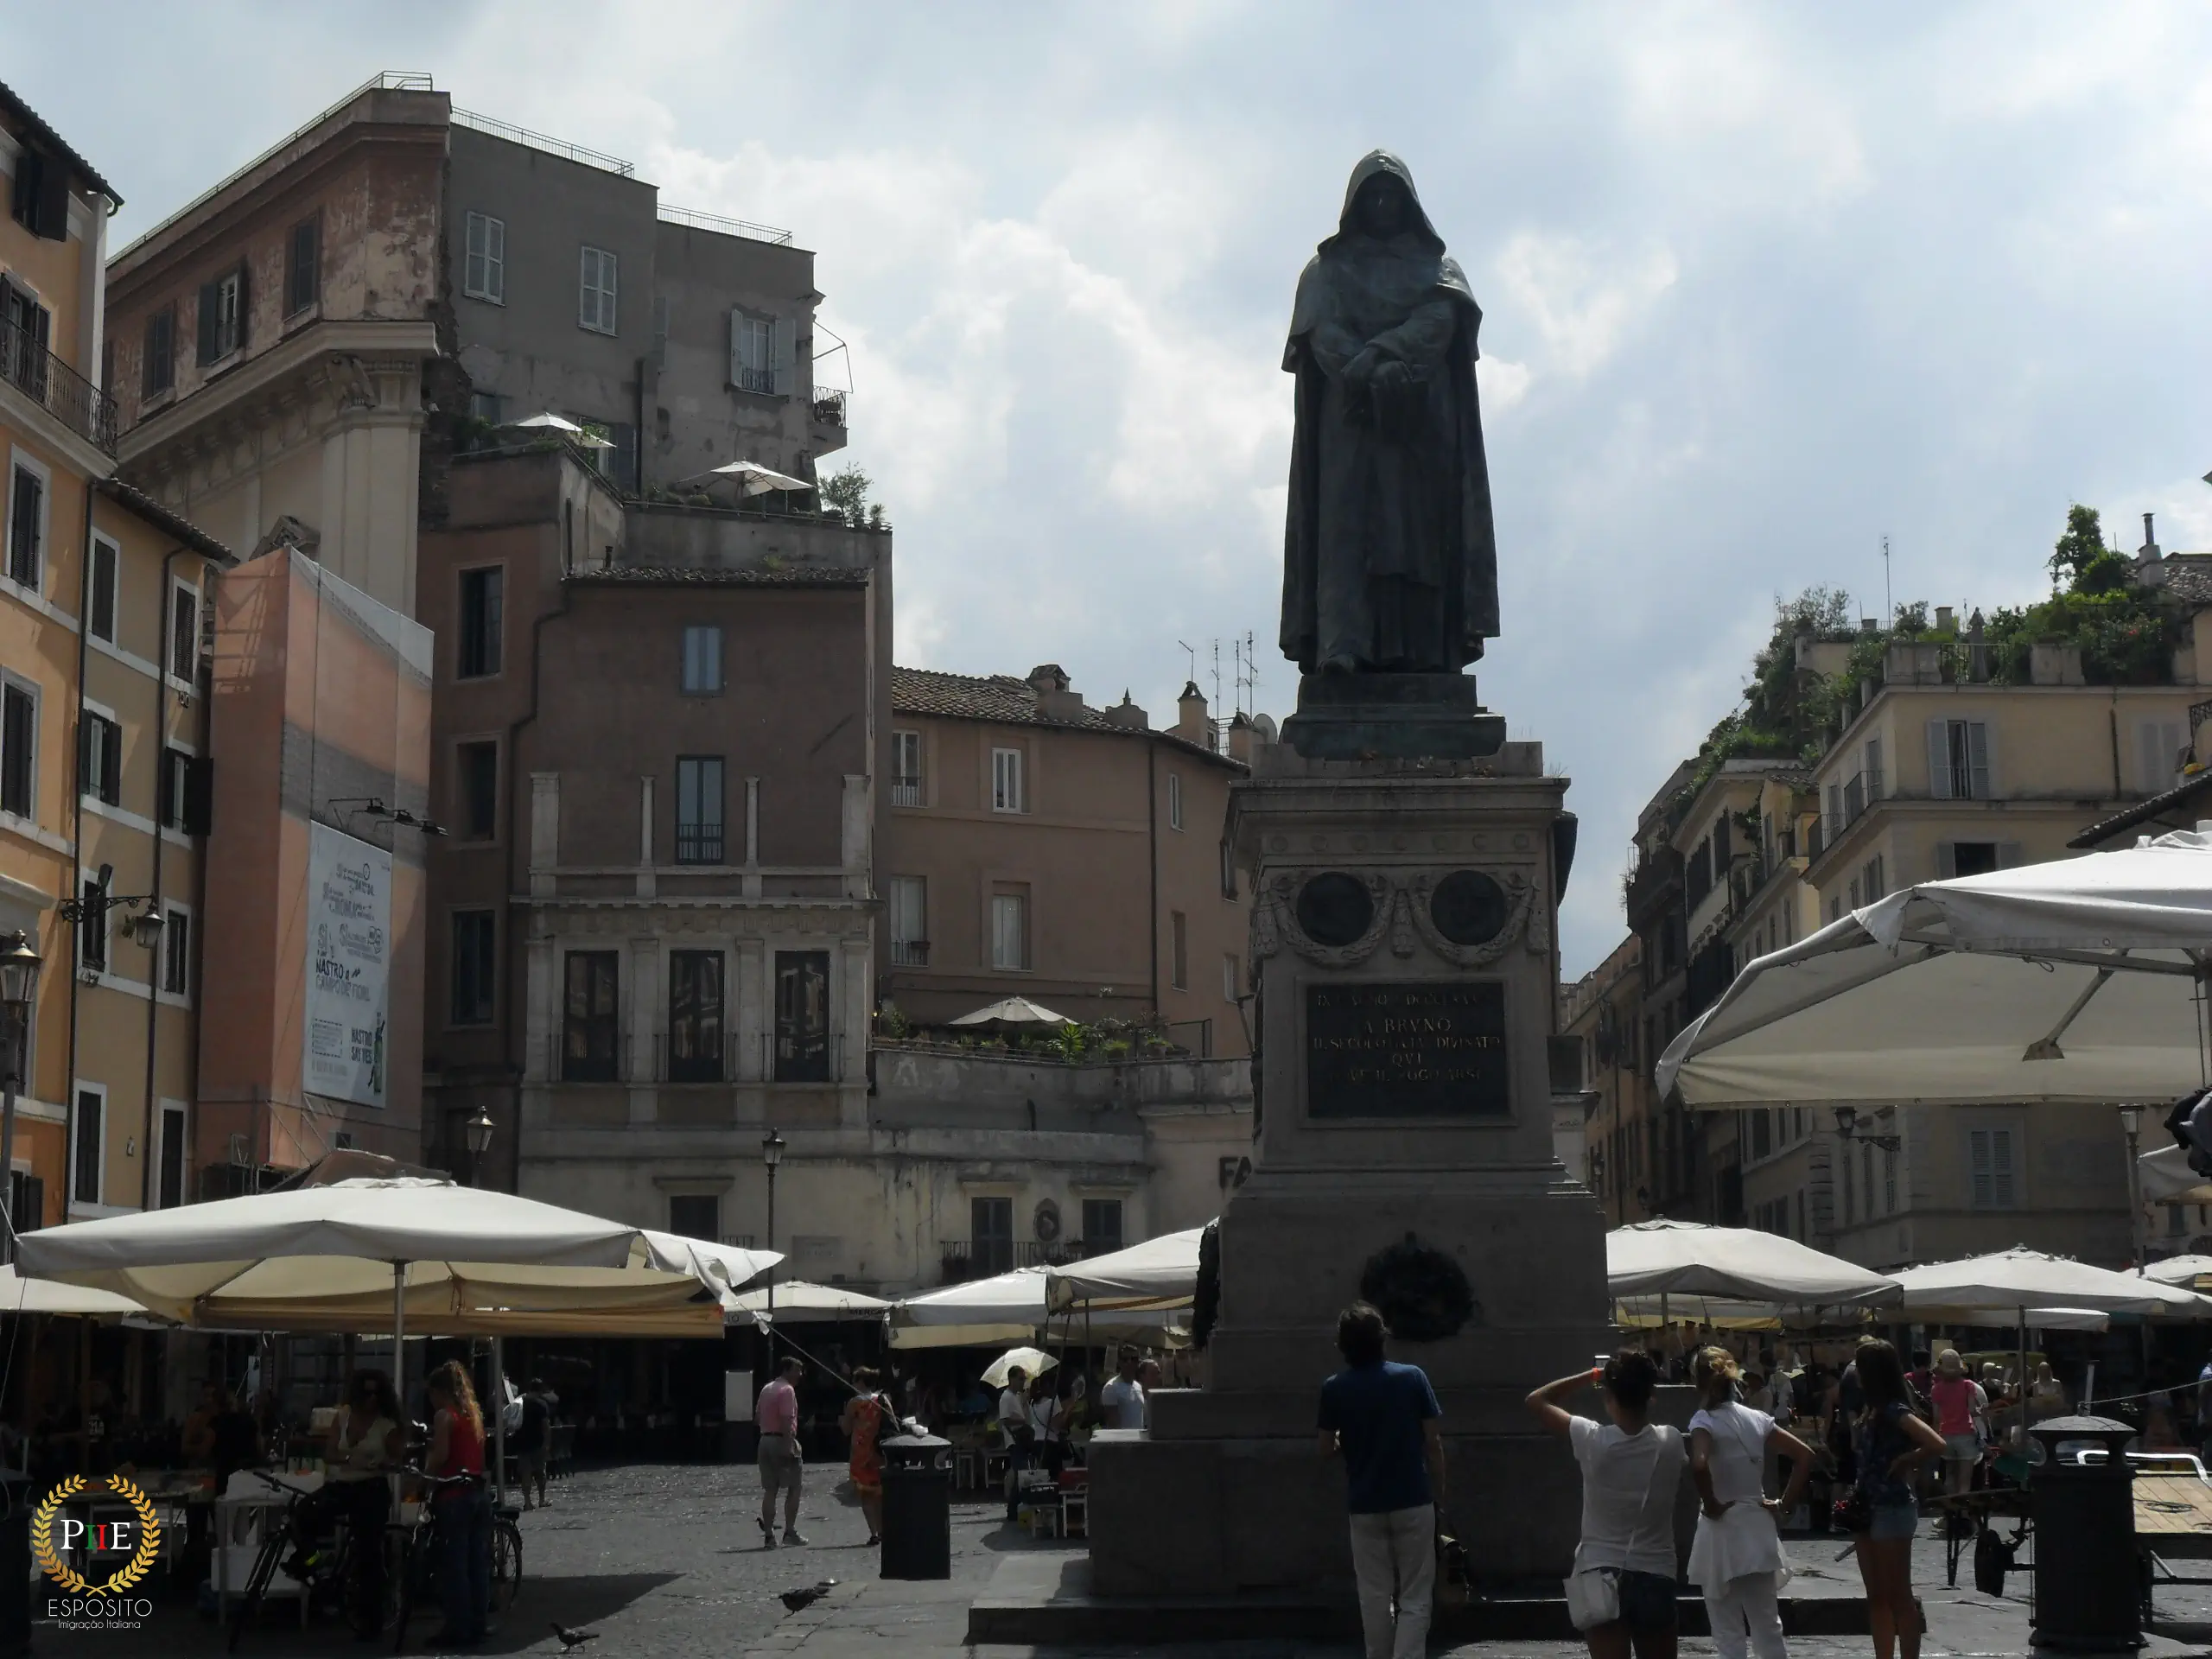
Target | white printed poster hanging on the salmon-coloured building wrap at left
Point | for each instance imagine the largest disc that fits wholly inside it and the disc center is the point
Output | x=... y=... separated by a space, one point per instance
x=348 y=966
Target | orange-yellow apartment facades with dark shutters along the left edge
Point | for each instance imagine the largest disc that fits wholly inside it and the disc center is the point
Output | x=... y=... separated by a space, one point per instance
x=103 y=724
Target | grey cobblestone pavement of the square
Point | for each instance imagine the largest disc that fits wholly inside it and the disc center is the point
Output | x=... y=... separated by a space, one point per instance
x=667 y=1563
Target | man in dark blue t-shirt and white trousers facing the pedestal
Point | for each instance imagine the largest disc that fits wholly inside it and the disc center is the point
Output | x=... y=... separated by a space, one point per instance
x=1384 y=1419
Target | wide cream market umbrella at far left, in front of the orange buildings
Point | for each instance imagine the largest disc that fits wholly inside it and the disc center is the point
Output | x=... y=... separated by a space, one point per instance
x=324 y=1260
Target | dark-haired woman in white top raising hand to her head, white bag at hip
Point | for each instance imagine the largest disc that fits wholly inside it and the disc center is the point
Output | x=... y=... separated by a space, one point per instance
x=1631 y=1472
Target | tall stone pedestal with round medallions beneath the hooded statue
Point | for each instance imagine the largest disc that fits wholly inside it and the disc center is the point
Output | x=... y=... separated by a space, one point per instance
x=1406 y=972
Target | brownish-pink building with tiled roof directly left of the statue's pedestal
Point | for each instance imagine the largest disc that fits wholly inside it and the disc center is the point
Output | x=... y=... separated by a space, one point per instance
x=1023 y=831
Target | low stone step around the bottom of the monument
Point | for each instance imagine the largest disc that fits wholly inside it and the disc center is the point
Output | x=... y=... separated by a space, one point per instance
x=1050 y=1600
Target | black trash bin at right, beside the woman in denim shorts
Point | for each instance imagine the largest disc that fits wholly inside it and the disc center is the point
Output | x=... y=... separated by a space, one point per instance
x=2089 y=1580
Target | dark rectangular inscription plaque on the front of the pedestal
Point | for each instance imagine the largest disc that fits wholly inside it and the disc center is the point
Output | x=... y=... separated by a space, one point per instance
x=1408 y=1050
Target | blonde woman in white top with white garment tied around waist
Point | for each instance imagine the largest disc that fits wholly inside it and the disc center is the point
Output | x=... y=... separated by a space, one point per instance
x=1738 y=1552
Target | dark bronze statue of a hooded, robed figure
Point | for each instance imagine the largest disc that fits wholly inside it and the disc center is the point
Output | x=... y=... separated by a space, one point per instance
x=1390 y=563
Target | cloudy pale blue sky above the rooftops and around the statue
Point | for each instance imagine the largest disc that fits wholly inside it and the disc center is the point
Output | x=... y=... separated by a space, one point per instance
x=1760 y=284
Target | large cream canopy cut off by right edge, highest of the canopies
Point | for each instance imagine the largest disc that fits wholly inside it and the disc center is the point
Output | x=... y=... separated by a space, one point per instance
x=2049 y=983
